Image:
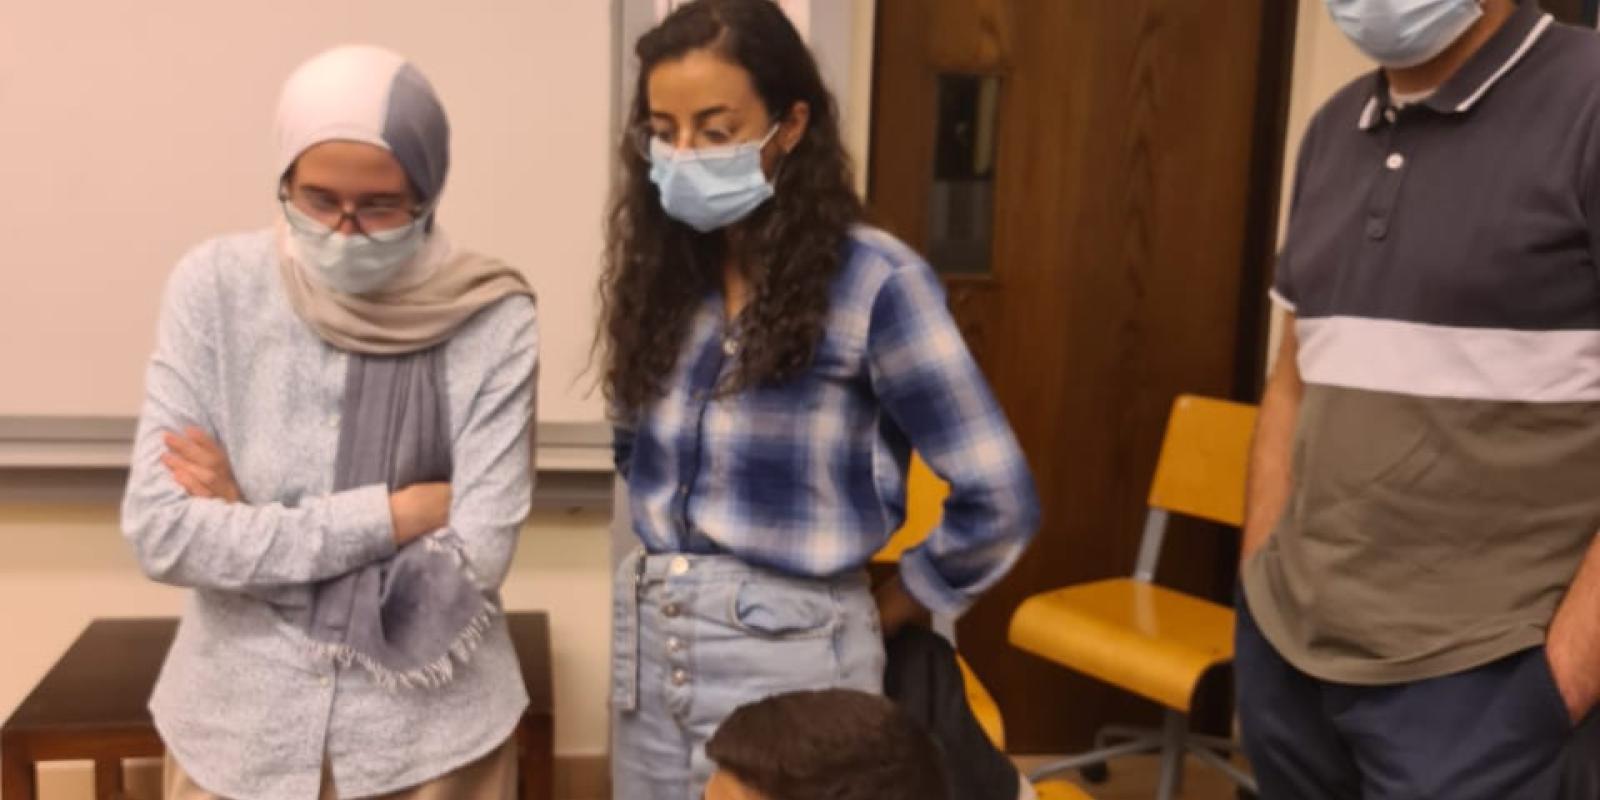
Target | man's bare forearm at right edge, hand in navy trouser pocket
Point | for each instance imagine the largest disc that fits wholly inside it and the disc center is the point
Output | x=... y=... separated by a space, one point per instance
x=1574 y=646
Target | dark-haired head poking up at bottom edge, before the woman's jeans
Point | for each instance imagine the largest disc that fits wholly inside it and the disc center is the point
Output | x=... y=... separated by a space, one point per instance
x=833 y=745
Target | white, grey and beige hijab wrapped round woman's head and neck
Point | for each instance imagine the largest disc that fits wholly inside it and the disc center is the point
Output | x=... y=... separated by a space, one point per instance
x=374 y=95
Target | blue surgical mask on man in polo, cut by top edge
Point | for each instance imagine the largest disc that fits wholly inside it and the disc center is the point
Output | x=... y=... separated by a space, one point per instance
x=1404 y=33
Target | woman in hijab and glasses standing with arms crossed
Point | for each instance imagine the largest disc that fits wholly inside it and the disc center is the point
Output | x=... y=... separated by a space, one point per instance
x=335 y=457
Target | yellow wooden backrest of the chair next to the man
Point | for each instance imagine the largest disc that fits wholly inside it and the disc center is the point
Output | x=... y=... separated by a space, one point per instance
x=1206 y=457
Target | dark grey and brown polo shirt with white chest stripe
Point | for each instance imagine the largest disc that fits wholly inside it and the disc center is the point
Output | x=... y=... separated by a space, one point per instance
x=1442 y=268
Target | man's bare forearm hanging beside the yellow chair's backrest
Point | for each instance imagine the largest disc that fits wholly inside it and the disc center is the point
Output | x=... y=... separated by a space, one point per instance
x=1268 y=489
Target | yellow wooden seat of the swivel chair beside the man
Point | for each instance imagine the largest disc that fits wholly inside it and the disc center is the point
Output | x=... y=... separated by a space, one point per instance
x=1146 y=639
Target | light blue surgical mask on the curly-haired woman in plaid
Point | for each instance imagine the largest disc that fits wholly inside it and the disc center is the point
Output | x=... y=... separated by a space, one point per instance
x=711 y=188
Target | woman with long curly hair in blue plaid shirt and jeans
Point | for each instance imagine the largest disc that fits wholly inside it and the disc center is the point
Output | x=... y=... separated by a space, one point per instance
x=772 y=364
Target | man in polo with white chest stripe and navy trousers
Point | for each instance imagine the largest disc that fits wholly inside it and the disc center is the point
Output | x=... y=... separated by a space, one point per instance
x=1422 y=578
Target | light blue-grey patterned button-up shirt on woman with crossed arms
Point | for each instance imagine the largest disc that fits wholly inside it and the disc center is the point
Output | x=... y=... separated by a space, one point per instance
x=242 y=703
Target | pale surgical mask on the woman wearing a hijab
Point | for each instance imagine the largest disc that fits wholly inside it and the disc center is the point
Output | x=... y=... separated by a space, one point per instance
x=354 y=263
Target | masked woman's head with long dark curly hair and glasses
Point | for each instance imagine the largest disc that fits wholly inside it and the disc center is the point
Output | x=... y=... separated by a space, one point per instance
x=732 y=159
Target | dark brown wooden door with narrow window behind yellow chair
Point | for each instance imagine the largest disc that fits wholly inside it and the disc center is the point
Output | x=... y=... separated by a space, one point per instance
x=1098 y=183
